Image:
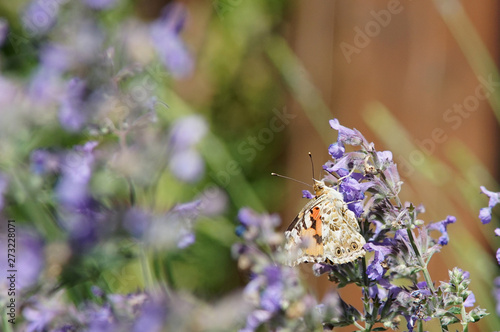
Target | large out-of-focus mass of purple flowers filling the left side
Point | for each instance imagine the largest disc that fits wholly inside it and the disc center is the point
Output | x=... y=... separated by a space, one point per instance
x=75 y=128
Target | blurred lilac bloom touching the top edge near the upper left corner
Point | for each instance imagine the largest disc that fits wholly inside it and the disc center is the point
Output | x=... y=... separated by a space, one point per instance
x=40 y=16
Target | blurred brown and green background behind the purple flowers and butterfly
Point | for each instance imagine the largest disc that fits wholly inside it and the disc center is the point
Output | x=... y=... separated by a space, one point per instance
x=418 y=78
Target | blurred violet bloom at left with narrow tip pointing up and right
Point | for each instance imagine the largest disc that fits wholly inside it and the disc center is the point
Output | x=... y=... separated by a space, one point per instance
x=71 y=190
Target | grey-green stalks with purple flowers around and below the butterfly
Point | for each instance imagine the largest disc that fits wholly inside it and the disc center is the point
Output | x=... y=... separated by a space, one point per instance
x=394 y=280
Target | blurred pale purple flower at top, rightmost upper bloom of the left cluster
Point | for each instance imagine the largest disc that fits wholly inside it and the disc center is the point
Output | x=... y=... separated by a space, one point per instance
x=165 y=34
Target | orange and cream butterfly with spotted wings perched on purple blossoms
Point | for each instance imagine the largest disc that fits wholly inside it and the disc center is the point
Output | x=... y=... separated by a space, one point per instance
x=325 y=231
